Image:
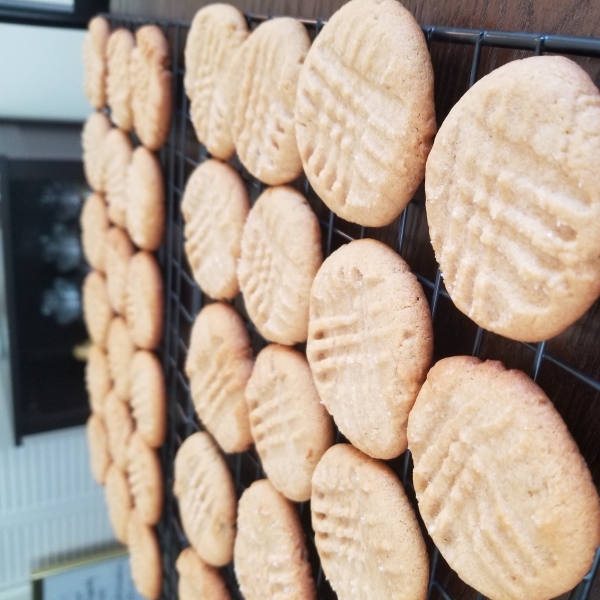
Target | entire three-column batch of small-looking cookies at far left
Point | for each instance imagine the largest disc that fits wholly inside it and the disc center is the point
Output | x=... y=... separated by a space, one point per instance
x=130 y=75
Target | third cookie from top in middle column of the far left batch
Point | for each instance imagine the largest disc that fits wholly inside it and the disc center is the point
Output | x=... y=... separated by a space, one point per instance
x=117 y=255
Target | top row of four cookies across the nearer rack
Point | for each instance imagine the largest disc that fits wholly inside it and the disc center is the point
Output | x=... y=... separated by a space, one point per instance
x=362 y=125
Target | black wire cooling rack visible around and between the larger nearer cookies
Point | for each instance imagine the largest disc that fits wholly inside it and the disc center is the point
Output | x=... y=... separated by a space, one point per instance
x=566 y=367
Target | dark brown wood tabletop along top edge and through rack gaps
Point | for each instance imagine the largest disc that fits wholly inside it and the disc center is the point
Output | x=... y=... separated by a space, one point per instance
x=578 y=404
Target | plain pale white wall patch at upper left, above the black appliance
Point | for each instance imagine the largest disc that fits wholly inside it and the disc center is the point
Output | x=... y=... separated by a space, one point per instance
x=41 y=73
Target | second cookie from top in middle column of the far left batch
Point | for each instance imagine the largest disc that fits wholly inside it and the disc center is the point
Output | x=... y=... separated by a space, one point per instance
x=118 y=151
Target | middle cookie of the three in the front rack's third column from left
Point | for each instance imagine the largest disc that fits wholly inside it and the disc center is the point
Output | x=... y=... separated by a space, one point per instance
x=370 y=342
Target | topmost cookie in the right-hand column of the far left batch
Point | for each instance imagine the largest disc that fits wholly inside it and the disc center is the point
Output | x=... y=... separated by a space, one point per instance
x=151 y=95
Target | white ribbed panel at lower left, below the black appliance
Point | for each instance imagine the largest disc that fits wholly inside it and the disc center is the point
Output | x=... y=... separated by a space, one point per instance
x=50 y=507
